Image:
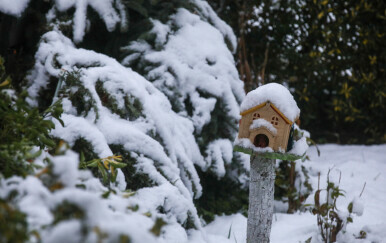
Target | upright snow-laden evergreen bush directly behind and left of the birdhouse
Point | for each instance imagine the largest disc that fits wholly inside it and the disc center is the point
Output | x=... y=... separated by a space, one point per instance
x=187 y=56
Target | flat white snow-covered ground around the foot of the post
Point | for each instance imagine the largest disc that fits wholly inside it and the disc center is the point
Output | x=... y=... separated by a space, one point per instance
x=358 y=164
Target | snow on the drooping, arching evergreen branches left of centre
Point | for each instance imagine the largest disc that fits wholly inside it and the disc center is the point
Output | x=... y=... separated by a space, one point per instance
x=170 y=165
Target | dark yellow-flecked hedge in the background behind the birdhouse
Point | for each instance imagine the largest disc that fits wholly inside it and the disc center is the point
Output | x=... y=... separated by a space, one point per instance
x=331 y=52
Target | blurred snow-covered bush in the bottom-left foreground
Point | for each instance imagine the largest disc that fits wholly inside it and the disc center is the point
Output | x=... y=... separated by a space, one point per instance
x=64 y=204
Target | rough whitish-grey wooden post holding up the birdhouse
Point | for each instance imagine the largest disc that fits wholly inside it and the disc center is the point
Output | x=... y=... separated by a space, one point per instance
x=261 y=190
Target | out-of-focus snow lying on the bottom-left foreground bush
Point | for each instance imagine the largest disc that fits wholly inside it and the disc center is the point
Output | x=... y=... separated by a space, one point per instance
x=109 y=215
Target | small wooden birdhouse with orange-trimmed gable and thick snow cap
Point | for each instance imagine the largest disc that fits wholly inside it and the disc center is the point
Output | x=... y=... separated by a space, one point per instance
x=267 y=116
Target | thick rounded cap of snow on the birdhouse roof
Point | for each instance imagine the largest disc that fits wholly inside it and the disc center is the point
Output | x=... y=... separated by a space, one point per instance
x=275 y=93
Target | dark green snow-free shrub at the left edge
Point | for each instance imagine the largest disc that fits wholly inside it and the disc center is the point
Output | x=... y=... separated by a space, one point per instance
x=24 y=131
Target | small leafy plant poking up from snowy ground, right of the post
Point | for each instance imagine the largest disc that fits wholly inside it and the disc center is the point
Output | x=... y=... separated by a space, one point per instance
x=330 y=219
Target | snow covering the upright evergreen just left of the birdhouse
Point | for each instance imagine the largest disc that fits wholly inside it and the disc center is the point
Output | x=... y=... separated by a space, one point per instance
x=191 y=63
